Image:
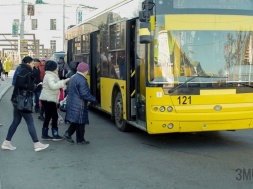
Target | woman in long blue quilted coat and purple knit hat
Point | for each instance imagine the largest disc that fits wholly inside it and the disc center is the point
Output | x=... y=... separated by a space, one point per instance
x=76 y=107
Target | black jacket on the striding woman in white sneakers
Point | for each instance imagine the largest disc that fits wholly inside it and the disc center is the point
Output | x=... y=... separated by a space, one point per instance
x=25 y=81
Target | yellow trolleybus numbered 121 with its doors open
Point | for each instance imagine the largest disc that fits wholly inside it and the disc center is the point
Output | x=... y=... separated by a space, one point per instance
x=168 y=66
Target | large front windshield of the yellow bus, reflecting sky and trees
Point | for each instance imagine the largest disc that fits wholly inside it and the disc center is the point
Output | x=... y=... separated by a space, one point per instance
x=180 y=54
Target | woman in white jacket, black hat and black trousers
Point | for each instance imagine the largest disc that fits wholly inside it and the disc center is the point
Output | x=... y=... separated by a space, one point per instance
x=50 y=99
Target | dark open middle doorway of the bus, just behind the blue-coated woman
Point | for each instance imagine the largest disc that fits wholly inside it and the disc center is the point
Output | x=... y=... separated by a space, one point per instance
x=95 y=65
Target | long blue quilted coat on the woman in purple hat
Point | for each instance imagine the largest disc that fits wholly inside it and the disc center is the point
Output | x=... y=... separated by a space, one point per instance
x=78 y=96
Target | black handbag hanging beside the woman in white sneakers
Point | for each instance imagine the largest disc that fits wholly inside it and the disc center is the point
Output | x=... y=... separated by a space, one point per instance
x=25 y=101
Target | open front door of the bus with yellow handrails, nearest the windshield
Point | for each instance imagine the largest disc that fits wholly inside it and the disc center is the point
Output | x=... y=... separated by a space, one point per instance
x=136 y=78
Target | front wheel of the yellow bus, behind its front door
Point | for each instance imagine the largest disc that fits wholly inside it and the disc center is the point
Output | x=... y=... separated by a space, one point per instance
x=118 y=112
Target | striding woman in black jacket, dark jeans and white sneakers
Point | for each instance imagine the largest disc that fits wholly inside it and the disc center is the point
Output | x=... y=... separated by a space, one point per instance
x=24 y=81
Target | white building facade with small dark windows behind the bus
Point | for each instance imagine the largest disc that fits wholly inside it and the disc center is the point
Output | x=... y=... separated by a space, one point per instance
x=44 y=26
